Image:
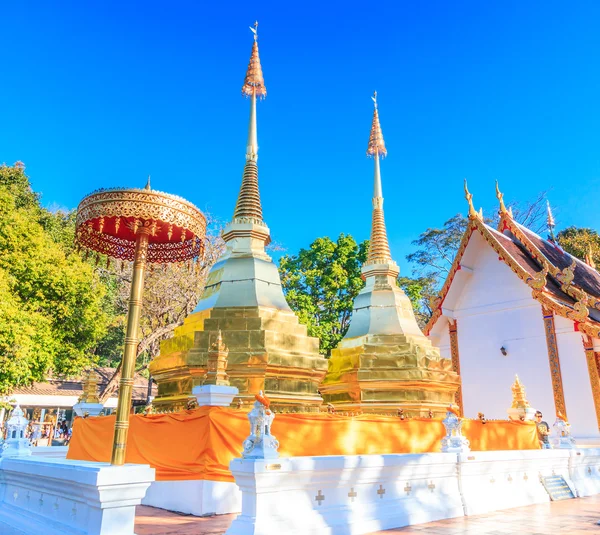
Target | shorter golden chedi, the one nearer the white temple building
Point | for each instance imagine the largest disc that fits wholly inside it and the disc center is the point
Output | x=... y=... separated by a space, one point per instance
x=385 y=363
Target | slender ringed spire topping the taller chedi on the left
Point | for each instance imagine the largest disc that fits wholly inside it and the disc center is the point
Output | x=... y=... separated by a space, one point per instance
x=248 y=206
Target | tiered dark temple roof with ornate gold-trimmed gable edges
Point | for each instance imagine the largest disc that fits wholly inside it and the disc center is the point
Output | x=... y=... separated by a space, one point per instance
x=559 y=281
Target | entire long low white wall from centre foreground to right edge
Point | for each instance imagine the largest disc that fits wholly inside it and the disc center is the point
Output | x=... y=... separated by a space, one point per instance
x=356 y=495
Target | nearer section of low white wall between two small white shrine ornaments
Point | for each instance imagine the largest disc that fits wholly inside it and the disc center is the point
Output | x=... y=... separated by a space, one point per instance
x=344 y=495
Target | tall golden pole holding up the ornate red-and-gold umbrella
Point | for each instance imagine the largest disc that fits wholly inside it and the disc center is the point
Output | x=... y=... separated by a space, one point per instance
x=130 y=351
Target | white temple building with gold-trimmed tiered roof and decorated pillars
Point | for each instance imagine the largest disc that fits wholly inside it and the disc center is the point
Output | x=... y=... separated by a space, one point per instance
x=515 y=303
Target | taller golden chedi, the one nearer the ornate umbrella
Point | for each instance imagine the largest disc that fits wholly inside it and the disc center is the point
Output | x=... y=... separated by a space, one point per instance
x=269 y=349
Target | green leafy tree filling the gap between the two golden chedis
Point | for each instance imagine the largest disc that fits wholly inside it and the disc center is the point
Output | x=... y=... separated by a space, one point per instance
x=320 y=284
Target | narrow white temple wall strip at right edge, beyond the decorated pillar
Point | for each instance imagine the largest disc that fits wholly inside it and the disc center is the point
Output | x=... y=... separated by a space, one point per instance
x=576 y=381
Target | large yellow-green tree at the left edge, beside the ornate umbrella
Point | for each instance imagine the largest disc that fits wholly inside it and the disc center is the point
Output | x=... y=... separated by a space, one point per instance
x=51 y=299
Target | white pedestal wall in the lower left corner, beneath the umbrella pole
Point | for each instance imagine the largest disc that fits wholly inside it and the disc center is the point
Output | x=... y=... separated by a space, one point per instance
x=42 y=495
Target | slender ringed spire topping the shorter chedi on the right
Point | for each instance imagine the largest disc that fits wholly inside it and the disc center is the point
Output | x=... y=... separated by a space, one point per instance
x=379 y=249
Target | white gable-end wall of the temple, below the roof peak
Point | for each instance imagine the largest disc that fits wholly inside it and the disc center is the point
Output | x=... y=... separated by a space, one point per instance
x=495 y=309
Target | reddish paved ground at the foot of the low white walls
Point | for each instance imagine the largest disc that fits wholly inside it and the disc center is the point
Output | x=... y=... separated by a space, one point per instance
x=572 y=517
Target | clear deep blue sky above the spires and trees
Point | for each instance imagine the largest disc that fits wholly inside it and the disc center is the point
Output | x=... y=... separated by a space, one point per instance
x=97 y=94
